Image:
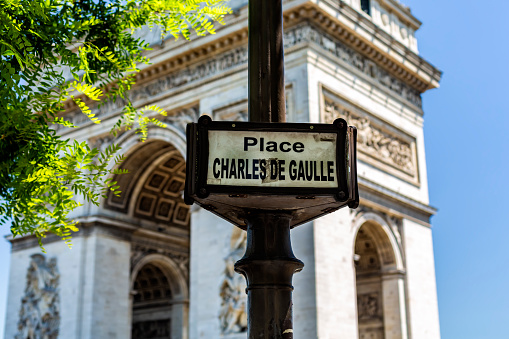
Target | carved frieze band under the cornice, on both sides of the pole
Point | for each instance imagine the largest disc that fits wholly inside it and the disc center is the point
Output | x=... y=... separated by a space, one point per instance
x=161 y=83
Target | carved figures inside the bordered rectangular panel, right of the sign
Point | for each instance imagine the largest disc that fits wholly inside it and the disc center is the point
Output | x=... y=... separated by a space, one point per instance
x=373 y=140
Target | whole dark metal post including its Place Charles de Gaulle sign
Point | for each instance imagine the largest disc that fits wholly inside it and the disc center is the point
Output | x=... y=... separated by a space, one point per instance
x=267 y=176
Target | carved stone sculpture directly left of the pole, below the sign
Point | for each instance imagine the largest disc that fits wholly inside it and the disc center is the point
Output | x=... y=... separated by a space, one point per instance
x=233 y=316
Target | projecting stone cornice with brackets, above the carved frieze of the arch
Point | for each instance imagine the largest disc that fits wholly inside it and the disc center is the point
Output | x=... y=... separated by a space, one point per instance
x=343 y=23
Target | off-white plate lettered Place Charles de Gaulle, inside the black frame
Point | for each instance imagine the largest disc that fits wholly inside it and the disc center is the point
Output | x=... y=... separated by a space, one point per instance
x=272 y=159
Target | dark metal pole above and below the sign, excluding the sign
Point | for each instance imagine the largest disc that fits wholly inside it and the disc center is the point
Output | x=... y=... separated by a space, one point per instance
x=269 y=262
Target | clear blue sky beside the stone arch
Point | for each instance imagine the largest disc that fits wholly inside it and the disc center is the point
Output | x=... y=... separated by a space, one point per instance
x=467 y=143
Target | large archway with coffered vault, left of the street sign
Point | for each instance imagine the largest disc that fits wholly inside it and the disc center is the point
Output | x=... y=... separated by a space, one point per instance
x=151 y=203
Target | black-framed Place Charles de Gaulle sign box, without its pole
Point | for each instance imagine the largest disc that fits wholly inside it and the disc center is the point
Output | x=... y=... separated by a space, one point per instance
x=308 y=169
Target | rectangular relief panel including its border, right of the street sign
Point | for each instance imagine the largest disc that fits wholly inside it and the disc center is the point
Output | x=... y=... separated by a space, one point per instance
x=383 y=146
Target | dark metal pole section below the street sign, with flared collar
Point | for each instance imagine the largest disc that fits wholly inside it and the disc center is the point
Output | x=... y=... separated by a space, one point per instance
x=268 y=265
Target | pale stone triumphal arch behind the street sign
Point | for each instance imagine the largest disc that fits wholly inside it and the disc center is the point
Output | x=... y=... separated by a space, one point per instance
x=145 y=265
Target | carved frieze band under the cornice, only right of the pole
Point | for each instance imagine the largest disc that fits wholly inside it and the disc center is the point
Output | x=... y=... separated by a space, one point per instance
x=306 y=33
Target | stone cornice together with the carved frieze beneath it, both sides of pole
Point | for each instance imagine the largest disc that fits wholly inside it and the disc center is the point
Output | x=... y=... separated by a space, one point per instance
x=228 y=51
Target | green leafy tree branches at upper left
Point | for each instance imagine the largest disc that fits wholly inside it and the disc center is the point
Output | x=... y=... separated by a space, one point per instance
x=41 y=174
